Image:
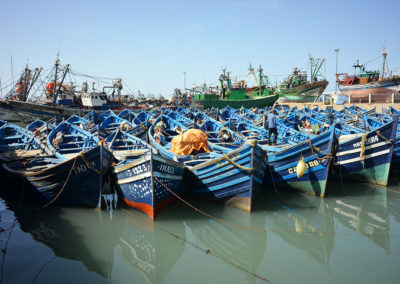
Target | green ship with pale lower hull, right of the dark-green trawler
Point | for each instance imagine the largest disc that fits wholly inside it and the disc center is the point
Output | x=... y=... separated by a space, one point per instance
x=297 y=88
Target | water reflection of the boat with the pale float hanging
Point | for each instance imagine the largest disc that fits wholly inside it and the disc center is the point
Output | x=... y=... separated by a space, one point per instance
x=304 y=222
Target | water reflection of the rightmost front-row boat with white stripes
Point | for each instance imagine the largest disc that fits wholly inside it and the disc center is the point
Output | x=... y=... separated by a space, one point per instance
x=365 y=210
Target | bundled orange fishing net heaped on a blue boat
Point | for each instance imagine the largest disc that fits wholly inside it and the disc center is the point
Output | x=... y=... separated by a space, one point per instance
x=191 y=140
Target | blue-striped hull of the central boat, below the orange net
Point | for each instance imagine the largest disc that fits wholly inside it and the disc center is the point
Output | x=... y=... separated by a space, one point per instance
x=222 y=180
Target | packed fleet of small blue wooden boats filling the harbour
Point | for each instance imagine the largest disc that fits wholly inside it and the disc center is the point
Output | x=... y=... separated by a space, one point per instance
x=151 y=158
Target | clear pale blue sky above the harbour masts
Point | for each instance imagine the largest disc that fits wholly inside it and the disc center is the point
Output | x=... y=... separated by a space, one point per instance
x=150 y=44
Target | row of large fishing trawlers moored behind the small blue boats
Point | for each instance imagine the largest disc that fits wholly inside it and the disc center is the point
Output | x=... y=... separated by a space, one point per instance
x=36 y=95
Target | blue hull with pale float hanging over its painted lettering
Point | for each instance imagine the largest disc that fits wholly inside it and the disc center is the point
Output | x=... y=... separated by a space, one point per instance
x=282 y=174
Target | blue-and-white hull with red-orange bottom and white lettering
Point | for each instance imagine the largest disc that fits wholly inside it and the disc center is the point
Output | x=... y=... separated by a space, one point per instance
x=139 y=183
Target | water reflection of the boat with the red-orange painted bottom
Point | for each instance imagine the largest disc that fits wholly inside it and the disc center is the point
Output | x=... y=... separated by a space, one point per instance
x=147 y=247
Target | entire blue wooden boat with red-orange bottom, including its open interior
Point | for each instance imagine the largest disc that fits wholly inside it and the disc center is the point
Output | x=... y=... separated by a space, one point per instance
x=141 y=174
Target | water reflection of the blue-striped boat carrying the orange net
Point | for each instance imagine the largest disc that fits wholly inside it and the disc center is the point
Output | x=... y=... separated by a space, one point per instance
x=240 y=247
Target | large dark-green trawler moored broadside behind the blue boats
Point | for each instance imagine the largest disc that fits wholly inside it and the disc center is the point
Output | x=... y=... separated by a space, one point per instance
x=236 y=94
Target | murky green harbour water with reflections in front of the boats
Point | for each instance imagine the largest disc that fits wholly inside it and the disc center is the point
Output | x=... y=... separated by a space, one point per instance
x=351 y=236
